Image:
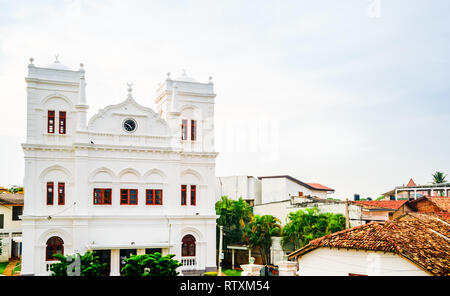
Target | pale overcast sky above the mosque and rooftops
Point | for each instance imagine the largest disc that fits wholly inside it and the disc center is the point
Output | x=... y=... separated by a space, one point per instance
x=352 y=94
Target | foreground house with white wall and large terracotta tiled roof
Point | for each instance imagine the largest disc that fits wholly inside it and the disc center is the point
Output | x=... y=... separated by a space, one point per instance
x=413 y=245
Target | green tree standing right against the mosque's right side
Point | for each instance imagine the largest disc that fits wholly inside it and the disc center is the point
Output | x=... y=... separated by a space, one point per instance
x=233 y=216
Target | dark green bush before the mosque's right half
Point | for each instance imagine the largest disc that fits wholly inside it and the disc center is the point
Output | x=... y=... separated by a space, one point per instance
x=151 y=265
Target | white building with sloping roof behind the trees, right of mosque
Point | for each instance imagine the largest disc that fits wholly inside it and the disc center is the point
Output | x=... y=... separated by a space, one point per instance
x=268 y=189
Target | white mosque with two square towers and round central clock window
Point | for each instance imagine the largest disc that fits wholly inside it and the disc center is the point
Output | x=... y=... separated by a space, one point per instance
x=128 y=181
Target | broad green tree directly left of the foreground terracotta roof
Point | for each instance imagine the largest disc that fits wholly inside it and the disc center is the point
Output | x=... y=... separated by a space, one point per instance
x=306 y=225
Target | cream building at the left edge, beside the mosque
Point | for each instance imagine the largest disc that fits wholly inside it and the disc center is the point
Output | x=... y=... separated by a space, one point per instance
x=11 y=208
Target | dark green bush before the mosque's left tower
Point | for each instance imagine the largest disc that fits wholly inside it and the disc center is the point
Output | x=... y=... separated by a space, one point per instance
x=77 y=264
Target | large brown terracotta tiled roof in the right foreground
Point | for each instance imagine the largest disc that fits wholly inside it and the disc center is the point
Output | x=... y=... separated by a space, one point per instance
x=428 y=247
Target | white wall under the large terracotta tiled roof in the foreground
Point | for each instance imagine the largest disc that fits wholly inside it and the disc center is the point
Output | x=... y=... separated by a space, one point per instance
x=341 y=262
